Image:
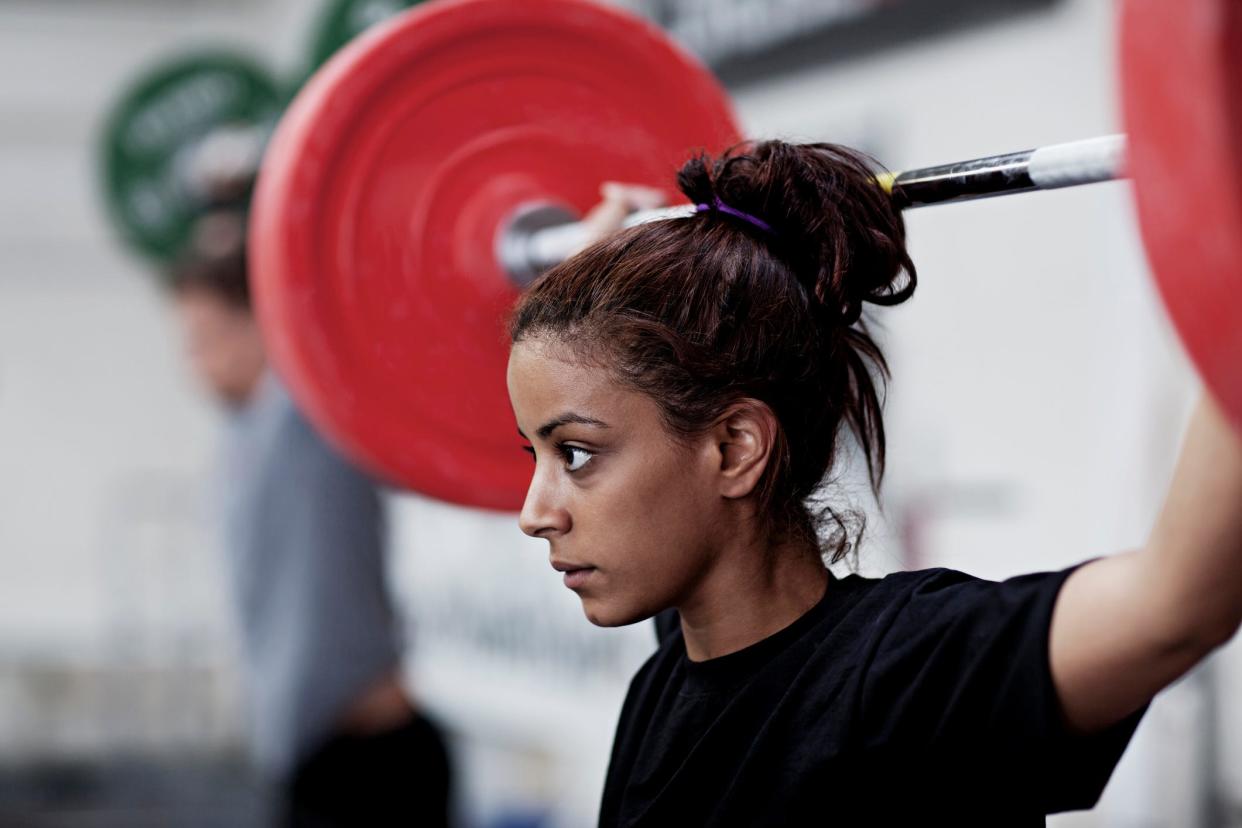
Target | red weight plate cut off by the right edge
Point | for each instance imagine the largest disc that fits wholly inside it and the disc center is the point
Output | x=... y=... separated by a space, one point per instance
x=1182 y=69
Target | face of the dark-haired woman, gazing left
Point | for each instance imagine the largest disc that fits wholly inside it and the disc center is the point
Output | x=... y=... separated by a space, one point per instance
x=630 y=512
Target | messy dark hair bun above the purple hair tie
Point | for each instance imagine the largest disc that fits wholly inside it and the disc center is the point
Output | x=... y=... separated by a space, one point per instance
x=835 y=227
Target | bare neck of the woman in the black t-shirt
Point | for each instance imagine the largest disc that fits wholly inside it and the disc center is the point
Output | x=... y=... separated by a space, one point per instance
x=750 y=595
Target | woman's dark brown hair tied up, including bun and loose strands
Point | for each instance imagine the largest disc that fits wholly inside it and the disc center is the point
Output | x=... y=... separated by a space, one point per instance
x=700 y=313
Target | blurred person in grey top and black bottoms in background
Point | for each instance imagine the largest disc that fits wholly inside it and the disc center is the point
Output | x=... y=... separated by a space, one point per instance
x=332 y=727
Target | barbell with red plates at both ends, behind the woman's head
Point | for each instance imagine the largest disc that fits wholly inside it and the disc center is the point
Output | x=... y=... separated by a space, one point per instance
x=433 y=168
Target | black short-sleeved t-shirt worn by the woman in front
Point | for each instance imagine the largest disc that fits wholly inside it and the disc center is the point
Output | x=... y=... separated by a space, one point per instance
x=921 y=698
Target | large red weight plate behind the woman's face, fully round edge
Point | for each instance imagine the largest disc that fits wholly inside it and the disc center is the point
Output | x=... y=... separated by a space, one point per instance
x=378 y=205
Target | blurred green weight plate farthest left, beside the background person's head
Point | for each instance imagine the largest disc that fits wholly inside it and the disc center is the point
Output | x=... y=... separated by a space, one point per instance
x=152 y=133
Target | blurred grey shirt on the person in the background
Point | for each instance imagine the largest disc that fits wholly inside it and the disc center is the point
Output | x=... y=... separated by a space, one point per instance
x=305 y=534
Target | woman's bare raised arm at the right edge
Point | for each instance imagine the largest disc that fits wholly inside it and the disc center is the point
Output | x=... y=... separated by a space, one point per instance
x=1127 y=626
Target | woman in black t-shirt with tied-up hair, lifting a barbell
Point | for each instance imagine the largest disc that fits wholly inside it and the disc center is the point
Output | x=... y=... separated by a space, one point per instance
x=685 y=387
